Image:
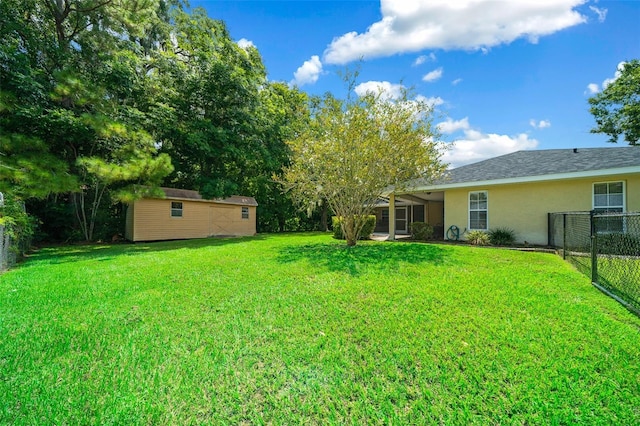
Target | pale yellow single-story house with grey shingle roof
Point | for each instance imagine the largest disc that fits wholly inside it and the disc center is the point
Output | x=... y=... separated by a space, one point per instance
x=518 y=191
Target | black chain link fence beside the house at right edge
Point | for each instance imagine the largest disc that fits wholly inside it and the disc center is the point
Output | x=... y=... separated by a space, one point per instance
x=604 y=246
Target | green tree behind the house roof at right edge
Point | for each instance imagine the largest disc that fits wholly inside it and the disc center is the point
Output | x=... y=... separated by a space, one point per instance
x=617 y=108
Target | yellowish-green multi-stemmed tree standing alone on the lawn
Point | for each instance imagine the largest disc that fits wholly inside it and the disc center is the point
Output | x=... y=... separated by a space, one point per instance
x=356 y=148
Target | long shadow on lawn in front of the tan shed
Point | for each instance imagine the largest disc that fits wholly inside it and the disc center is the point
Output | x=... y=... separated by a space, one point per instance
x=103 y=252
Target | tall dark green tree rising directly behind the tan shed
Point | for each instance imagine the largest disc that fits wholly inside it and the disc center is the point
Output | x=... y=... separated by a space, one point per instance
x=211 y=126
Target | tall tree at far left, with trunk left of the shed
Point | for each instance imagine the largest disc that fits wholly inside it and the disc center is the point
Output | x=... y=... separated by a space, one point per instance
x=77 y=68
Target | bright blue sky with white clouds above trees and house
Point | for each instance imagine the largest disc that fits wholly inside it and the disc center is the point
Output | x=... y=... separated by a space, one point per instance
x=502 y=75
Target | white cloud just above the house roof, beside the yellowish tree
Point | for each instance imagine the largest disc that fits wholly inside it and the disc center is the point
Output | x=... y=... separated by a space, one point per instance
x=474 y=145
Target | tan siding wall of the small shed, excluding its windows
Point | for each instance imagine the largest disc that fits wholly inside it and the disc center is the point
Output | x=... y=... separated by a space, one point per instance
x=151 y=220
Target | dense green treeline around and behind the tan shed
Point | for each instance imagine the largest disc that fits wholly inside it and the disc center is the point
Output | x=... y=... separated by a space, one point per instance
x=102 y=101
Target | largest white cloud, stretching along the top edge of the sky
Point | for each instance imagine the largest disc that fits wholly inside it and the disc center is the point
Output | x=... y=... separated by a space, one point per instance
x=462 y=24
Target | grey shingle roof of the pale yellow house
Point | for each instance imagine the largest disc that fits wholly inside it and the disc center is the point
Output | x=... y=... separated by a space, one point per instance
x=522 y=164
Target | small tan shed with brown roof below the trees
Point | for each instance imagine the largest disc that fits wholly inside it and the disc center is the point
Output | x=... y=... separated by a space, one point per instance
x=184 y=214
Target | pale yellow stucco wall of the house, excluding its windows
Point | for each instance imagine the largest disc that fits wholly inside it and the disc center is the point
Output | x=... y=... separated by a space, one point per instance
x=524 y=207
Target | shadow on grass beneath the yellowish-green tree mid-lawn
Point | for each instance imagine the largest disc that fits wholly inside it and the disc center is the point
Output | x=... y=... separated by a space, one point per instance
x=363 y=257
